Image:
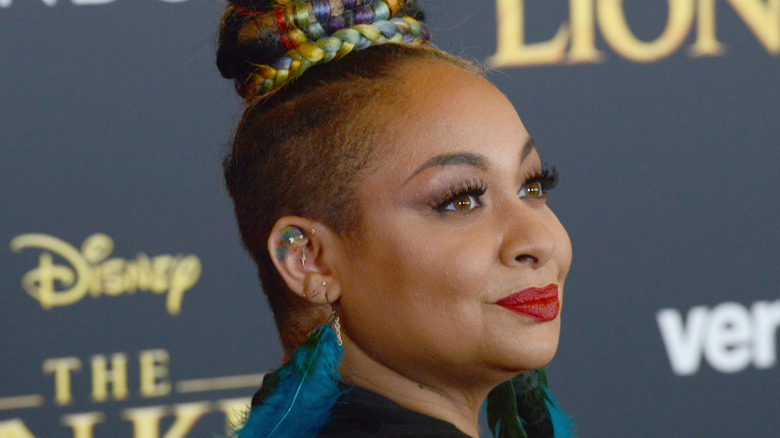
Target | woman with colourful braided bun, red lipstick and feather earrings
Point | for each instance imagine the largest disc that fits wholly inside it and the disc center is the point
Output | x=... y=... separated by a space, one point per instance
x=392 y=191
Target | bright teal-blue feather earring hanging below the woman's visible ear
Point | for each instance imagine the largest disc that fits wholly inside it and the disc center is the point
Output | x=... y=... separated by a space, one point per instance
x=296 y=400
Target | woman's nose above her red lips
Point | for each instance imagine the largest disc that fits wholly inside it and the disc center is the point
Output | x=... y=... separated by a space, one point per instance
x=528 y=238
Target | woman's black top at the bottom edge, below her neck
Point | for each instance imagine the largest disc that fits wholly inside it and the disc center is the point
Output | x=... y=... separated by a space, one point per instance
x=360 y=413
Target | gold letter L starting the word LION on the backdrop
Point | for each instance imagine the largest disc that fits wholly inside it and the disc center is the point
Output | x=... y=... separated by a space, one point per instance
x=512 y=50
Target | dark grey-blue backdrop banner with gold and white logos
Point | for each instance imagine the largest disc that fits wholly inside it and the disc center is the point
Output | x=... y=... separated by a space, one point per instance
x=130 y=310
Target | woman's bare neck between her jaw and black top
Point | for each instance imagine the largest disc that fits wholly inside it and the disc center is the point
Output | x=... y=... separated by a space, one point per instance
x=456 y=404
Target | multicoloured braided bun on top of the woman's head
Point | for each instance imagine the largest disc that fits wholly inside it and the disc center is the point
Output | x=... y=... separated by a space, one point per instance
x=263 y=44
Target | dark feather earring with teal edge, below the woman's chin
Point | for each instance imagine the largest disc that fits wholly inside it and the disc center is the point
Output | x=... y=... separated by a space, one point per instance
x=523 y=407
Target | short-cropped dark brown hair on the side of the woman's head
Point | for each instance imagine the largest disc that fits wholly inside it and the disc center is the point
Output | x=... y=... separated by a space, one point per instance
x=301 y=150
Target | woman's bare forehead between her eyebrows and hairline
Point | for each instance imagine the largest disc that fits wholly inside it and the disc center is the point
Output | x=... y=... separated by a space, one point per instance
x=451 y=114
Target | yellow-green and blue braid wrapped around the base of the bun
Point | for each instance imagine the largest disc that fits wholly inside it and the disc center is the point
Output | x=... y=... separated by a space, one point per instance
x=267 y=78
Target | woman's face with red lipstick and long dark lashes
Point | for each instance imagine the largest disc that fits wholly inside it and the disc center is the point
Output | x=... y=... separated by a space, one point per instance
x=453 y=222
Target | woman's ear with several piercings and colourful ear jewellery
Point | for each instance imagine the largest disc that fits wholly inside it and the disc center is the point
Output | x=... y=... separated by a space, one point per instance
x=302 y=251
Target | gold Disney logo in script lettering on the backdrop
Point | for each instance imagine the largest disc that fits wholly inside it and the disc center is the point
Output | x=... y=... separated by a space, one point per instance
x=90 y=271
